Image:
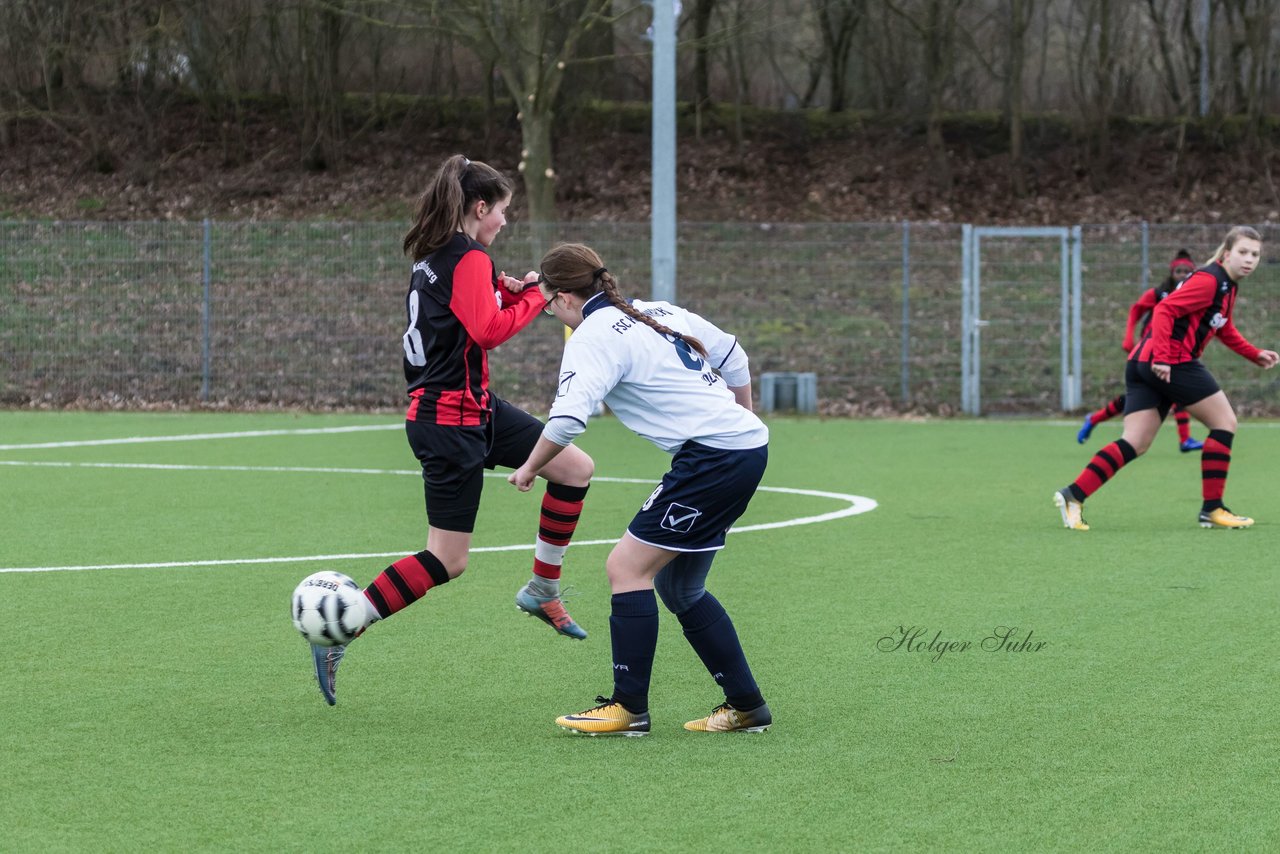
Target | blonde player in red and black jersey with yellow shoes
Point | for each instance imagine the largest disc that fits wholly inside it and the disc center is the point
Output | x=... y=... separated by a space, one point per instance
x=1165 y=369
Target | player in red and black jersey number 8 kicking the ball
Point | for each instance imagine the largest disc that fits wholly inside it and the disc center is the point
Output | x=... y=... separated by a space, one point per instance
x=459 y=309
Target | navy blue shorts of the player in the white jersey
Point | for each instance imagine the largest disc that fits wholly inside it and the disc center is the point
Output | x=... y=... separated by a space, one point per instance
x=701 y=499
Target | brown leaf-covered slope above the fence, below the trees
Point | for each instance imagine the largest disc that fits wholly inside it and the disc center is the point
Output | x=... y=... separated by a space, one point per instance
x=787 y=171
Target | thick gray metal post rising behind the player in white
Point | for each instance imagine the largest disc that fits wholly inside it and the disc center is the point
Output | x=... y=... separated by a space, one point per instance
x=664 y=218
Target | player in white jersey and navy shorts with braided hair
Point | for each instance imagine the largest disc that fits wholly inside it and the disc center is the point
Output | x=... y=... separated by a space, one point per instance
x=683 y=383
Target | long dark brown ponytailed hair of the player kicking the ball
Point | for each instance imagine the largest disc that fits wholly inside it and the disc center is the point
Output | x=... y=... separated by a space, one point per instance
x=458 y=185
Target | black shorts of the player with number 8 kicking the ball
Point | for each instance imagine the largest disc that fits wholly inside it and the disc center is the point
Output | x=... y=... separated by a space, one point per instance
x=455 y=458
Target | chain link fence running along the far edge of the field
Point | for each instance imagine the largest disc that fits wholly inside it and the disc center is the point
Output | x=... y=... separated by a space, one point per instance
x=310 y=314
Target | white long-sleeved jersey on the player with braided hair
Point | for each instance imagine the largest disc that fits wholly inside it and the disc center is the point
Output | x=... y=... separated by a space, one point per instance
x=659 y=387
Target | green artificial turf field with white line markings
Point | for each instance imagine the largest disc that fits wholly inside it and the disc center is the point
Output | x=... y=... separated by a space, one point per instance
x=168 y=704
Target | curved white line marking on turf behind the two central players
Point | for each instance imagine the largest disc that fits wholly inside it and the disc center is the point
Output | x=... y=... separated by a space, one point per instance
x=857 y=505
